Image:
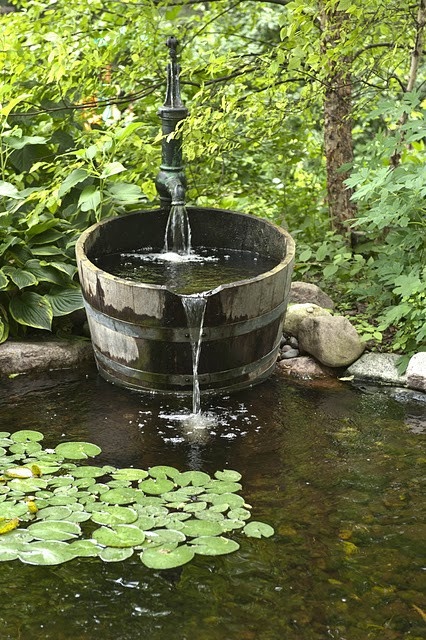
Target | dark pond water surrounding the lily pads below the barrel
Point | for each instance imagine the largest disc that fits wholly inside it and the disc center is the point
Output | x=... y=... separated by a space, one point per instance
x=337 y=472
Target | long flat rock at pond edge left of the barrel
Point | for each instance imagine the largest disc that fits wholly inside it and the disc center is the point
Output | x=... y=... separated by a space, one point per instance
x=27 y=357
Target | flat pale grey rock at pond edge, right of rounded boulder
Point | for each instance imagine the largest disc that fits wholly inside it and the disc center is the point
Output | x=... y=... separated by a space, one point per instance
x=377 y=366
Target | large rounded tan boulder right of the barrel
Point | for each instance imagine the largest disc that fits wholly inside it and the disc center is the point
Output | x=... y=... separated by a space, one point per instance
x=332 y=340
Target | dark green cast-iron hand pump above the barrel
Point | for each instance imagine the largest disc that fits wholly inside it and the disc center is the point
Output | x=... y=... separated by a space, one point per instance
x=171 y=181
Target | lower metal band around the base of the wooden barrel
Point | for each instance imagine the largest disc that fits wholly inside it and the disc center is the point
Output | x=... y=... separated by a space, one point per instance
x=183 y=380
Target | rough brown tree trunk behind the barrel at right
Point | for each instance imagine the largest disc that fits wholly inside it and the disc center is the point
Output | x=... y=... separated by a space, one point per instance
x=338 y=145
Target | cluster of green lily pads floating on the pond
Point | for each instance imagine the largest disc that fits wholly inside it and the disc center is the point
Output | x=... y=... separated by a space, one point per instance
x=51 y=508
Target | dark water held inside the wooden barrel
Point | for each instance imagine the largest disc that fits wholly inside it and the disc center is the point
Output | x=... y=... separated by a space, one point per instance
x=203 y=271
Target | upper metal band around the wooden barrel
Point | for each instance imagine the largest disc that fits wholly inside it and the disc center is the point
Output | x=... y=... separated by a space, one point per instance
x=181 y=334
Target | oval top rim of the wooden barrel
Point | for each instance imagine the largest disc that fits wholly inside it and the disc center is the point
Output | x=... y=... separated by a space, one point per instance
x=284 y=263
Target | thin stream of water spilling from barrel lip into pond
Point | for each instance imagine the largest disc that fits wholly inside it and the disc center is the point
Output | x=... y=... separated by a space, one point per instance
x=195 y=307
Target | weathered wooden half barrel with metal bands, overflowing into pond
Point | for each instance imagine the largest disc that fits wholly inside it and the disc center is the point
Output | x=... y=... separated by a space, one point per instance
x=139 y=331
